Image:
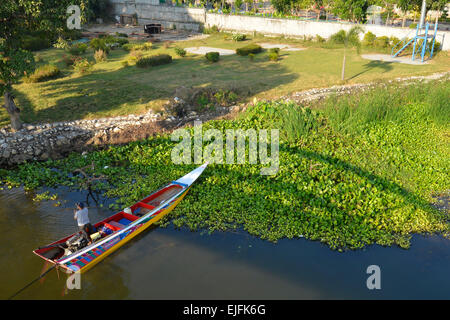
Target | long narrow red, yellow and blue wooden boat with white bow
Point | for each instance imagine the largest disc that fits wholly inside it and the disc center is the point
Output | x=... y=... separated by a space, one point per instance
x=119 y=228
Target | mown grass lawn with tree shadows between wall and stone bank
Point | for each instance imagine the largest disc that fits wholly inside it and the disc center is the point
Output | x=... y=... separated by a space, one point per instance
x=111 y=89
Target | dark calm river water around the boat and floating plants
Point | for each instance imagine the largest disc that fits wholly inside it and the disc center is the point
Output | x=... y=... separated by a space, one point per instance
x=168 y=263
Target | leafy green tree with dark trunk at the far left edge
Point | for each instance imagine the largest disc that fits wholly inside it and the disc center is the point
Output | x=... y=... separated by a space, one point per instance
x=17 y=19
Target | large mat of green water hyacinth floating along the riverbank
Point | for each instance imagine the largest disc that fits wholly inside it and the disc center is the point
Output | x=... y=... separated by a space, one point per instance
x=345 y=186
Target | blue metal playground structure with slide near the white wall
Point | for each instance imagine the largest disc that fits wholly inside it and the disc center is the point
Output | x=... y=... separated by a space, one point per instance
x=423 y=42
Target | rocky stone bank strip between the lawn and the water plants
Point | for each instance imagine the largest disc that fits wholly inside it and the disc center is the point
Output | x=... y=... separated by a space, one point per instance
x=55 y=140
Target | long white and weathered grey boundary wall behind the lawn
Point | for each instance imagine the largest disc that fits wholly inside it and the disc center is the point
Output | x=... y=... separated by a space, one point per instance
x=194 y=18
